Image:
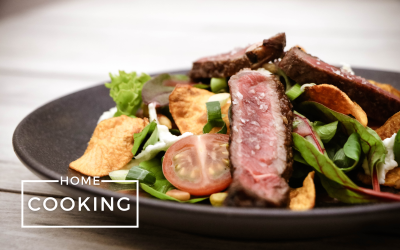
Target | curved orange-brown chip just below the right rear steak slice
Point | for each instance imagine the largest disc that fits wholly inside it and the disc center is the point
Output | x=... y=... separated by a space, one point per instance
x=335 y=99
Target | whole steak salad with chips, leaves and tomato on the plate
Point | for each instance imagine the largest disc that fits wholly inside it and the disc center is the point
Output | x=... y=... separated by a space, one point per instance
x=254 y=127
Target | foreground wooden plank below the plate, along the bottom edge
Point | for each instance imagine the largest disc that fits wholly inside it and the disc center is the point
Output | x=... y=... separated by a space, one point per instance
x=13 y=236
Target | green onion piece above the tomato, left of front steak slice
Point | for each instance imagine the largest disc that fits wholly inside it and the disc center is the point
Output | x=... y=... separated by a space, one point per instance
x=214 y=118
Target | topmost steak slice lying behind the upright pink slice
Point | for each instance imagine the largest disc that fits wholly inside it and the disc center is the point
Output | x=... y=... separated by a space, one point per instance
x=230 y=63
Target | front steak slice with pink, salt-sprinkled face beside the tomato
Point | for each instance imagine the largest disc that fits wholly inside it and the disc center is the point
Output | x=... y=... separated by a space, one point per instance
x=261 y=142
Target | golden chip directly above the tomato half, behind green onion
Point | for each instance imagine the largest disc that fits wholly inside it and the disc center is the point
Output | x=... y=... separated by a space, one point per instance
x=187 y=105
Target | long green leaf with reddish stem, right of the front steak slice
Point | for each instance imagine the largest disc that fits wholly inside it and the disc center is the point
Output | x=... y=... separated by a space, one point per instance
x=336 y=182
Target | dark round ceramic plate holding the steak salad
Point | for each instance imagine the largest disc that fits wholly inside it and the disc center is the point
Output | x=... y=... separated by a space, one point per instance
x=48 y=139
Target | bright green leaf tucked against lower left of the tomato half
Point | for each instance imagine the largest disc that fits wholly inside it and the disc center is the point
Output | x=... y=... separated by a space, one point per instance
x=162 y=185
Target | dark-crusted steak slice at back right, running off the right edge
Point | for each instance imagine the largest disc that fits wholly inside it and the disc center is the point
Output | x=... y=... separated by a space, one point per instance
x=304 y=68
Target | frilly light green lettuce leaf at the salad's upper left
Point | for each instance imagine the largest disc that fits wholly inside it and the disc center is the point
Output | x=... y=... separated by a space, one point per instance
x=126 y=91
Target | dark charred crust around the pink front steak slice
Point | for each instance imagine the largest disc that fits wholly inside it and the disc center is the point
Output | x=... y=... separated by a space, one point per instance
x=240 y=196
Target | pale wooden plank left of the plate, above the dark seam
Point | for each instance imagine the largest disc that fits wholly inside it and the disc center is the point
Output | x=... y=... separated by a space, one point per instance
x=19 y=96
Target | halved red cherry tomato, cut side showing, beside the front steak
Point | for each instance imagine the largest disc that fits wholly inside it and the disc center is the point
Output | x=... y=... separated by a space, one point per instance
x=199 y=164
